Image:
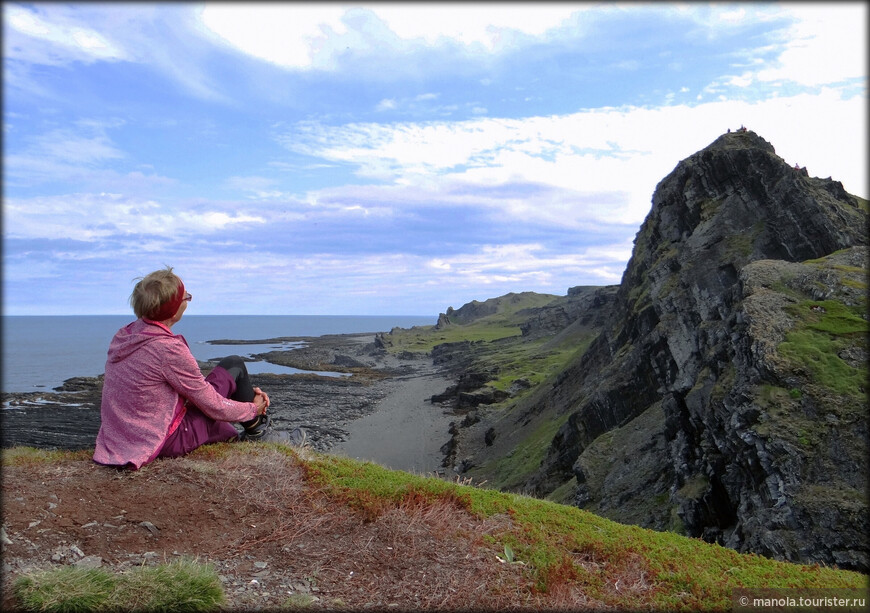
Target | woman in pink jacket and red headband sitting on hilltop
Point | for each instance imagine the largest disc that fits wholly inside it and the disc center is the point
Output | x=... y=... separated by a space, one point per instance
x=156 y=402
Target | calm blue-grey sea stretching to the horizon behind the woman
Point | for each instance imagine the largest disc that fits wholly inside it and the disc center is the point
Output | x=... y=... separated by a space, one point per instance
x=41 y=352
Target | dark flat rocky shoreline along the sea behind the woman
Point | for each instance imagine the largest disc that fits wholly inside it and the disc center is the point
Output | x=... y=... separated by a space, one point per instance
x=68 y=417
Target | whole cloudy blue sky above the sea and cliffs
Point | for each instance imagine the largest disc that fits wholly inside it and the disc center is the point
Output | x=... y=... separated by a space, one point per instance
x=397 y=158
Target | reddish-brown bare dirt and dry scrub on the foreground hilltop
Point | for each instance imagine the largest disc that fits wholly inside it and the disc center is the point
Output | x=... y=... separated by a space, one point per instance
x=274 y=538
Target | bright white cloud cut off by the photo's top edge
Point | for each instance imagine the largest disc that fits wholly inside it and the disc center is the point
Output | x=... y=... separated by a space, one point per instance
x=301 y=36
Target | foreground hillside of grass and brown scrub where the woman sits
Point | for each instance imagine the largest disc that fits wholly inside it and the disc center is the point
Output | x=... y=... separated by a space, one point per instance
x=407 y=536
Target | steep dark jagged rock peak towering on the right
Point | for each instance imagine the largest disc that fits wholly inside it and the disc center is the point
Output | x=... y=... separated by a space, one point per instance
x=671 y=411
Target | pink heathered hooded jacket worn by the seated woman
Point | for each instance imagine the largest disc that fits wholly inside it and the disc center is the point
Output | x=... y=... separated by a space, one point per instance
x=150 y=372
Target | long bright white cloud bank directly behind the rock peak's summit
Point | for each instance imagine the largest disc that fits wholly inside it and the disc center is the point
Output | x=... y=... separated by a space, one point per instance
x=608 y=161
